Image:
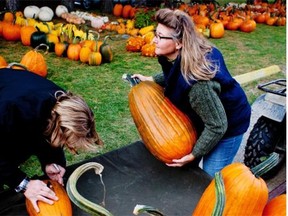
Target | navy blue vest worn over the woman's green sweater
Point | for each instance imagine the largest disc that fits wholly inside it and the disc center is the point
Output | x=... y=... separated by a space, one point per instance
x=232 y=96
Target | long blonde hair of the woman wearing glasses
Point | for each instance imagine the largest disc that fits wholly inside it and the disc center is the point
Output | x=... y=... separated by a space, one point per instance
x=194 y=64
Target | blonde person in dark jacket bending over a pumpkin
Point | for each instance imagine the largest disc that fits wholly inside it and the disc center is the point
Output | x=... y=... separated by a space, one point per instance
x=39 y=118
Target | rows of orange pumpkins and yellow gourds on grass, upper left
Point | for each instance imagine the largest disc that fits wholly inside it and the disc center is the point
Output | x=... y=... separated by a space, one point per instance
x=66 y=40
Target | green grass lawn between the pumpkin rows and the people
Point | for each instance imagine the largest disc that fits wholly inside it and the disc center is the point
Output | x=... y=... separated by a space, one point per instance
x=106 y=93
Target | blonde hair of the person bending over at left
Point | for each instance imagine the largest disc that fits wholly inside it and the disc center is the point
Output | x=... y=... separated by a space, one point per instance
x=72 y=123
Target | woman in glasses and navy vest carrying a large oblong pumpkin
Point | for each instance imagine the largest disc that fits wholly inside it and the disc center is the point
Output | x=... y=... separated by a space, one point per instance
x=197 y=82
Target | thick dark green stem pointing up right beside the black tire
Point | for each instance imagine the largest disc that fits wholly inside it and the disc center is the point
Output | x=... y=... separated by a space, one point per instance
x=266 y=165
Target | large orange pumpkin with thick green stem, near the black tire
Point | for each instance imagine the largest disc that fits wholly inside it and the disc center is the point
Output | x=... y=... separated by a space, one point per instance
x=246 y=193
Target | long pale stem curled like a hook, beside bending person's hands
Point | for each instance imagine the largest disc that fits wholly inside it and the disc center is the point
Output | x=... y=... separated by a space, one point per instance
x=78 y=199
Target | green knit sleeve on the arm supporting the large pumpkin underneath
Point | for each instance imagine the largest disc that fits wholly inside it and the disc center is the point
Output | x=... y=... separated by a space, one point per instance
x=206 y=103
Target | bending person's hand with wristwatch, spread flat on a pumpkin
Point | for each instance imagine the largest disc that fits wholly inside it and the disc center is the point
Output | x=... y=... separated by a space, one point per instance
x=38 y=190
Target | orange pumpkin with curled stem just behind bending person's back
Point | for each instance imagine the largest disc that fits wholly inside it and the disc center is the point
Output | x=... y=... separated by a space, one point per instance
x=35 y=62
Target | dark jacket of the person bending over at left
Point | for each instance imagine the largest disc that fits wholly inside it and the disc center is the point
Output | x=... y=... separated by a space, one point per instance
x=26 y=101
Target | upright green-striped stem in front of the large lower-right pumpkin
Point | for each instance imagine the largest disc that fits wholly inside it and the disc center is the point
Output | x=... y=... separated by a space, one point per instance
x=220 y=195
